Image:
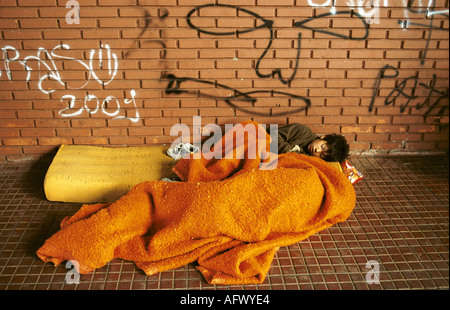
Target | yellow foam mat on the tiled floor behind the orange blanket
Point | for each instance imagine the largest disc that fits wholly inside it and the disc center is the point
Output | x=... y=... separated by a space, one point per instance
x=90 y=174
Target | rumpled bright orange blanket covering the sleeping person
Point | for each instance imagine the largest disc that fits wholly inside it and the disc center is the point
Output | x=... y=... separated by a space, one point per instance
x=230 y=217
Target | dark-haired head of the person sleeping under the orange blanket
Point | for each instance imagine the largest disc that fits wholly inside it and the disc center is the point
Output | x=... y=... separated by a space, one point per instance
x=331 y=147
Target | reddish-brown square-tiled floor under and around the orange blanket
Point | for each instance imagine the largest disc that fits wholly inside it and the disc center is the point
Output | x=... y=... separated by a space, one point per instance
x=400 y=223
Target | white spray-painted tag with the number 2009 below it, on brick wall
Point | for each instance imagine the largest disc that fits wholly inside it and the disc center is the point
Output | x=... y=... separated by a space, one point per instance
x=101 y=67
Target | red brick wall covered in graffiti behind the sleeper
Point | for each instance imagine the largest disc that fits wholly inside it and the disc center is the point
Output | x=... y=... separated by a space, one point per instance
x=130 y=69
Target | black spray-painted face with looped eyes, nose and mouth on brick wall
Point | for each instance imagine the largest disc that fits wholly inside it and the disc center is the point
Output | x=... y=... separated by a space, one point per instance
x=240 y=100
